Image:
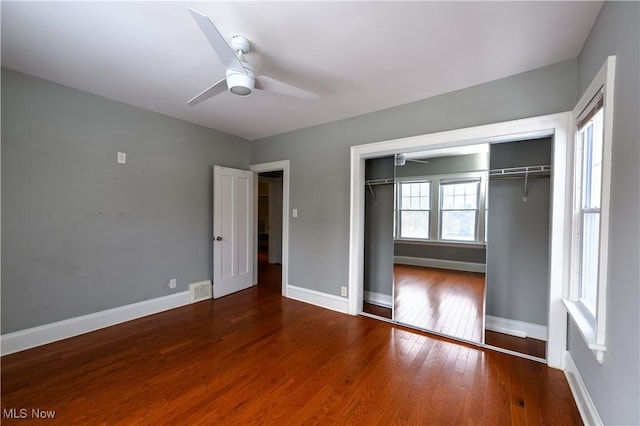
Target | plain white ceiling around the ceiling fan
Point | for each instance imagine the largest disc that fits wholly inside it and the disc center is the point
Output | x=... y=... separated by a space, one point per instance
x=358 y=56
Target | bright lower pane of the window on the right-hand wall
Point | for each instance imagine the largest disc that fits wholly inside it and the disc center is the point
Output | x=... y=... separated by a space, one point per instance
x=589 y=252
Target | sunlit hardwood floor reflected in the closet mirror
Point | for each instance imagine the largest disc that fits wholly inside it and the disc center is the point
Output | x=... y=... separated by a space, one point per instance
x=444 y=301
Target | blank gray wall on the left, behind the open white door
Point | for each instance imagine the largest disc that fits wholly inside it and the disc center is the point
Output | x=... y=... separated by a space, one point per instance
x=81 y=233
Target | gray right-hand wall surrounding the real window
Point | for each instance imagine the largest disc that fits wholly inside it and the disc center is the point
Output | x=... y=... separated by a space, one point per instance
x=615 y=385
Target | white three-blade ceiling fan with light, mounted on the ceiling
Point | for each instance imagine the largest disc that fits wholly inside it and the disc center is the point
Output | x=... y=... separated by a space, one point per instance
x=240 y=78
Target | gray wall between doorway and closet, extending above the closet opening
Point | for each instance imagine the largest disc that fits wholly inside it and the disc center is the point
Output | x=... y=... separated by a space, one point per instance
x=319 y=236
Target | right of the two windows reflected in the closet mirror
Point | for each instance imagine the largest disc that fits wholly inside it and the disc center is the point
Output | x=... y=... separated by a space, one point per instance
x=459 y=210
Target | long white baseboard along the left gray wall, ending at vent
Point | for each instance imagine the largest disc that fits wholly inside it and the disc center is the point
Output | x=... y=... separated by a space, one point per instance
x=48 y=333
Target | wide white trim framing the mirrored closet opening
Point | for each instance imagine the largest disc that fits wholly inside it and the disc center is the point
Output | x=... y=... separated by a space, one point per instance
x=555 y=125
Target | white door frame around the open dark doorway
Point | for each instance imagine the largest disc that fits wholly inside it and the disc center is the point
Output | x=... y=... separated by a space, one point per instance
x=274 y=166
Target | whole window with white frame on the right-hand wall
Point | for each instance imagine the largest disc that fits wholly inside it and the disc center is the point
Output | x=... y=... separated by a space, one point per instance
x=586 y=301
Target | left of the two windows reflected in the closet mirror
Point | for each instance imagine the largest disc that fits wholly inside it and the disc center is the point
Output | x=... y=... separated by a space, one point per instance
x=415 y=208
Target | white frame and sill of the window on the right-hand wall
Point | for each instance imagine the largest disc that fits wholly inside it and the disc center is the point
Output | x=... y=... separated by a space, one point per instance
x=592 y=328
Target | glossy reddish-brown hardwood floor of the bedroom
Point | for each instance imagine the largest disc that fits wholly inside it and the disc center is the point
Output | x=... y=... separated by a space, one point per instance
x=256 y=357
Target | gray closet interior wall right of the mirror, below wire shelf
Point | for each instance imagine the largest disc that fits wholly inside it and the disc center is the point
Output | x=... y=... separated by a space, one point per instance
x=518 y=236
